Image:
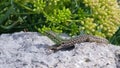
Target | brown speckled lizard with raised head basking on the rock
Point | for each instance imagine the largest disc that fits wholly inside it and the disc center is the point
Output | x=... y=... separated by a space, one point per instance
x=65 y=44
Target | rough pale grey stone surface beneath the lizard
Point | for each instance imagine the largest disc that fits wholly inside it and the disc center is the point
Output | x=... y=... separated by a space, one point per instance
x=29 y=50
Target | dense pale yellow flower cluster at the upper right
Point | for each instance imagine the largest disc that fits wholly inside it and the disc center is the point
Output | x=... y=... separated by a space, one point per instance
x=106 y=16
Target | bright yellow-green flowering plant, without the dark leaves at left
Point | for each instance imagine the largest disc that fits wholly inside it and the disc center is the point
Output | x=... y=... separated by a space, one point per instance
x=97 y=17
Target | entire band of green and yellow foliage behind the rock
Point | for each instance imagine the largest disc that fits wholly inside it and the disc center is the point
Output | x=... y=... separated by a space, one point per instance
x=96 y=17
